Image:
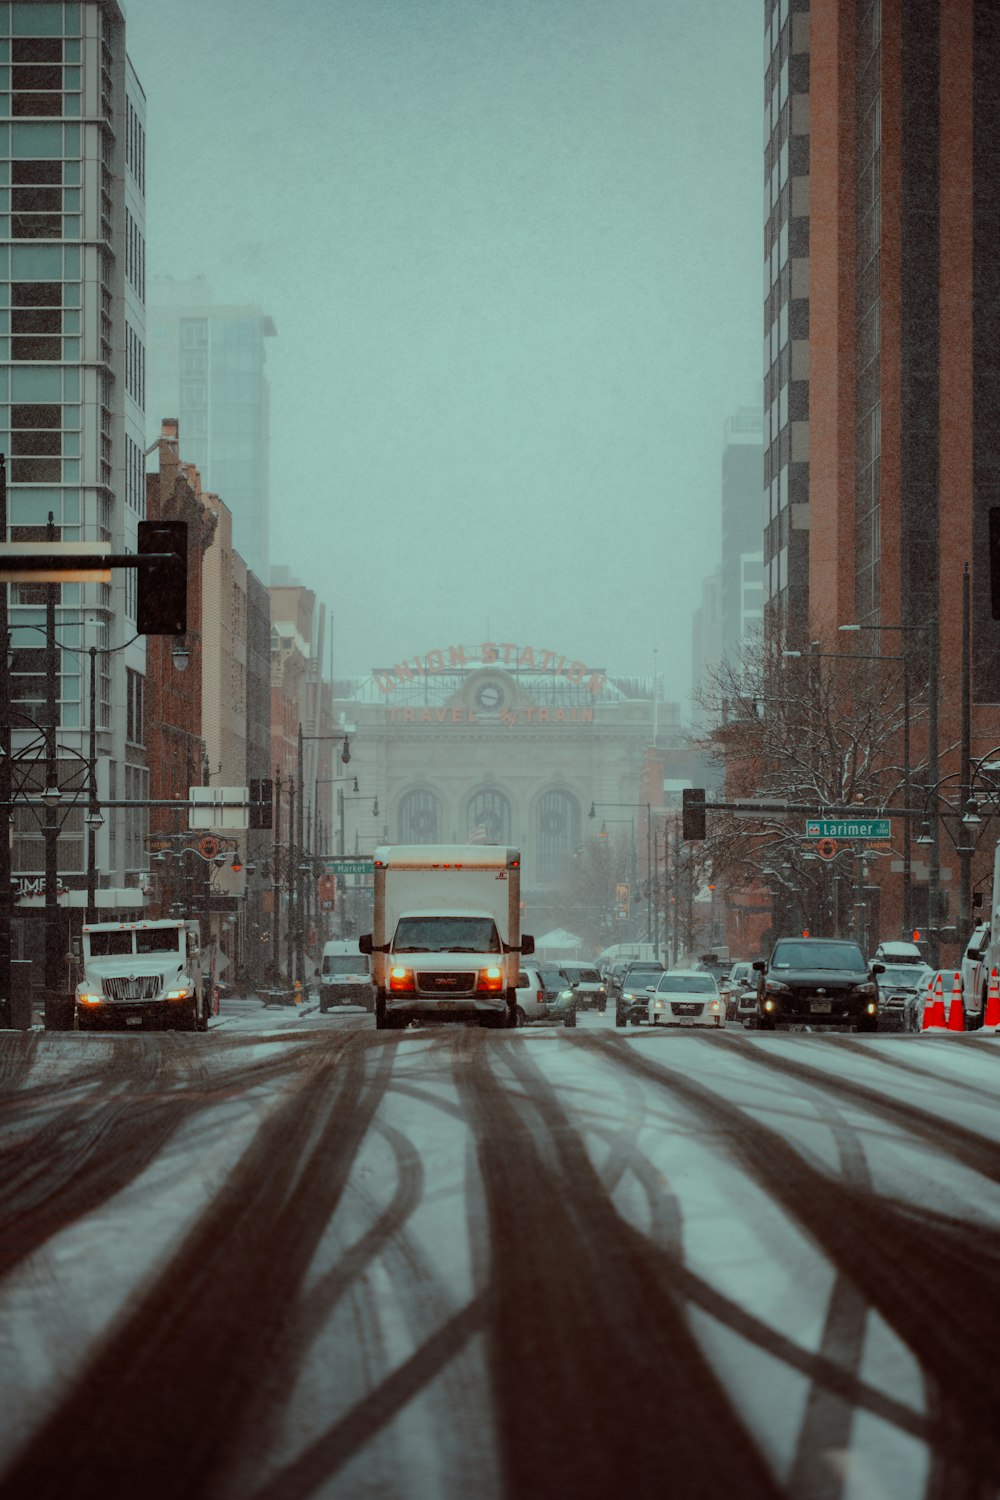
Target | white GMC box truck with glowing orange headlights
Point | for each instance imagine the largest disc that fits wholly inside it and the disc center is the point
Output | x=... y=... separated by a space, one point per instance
x=446 y=941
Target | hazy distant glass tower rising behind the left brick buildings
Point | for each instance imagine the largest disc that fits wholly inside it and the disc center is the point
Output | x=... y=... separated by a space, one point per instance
x=208 y=368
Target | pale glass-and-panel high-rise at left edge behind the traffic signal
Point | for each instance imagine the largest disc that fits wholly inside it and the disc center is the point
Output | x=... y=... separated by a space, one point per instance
x=73 y=397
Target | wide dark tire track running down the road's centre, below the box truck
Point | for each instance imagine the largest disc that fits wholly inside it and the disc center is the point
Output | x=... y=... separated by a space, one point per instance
x=584 y=1337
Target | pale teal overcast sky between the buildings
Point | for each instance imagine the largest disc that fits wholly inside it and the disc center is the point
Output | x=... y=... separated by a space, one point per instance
x=513 y=253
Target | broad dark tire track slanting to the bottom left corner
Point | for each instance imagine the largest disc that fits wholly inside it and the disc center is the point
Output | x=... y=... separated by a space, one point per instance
x=181 y=1370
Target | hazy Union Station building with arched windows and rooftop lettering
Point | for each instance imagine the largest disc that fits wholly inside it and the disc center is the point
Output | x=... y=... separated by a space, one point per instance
x=500 y=743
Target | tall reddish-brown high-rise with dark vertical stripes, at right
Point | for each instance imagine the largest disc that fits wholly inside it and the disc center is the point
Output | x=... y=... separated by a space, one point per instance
x=890 y=115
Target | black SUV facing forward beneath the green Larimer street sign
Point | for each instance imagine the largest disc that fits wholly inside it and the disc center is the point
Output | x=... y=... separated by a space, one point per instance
x=822 y=982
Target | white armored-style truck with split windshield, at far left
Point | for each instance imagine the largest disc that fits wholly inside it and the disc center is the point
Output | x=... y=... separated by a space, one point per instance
x=143 y=974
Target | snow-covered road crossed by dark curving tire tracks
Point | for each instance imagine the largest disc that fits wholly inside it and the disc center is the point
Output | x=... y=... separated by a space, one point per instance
x=299 y=1258
